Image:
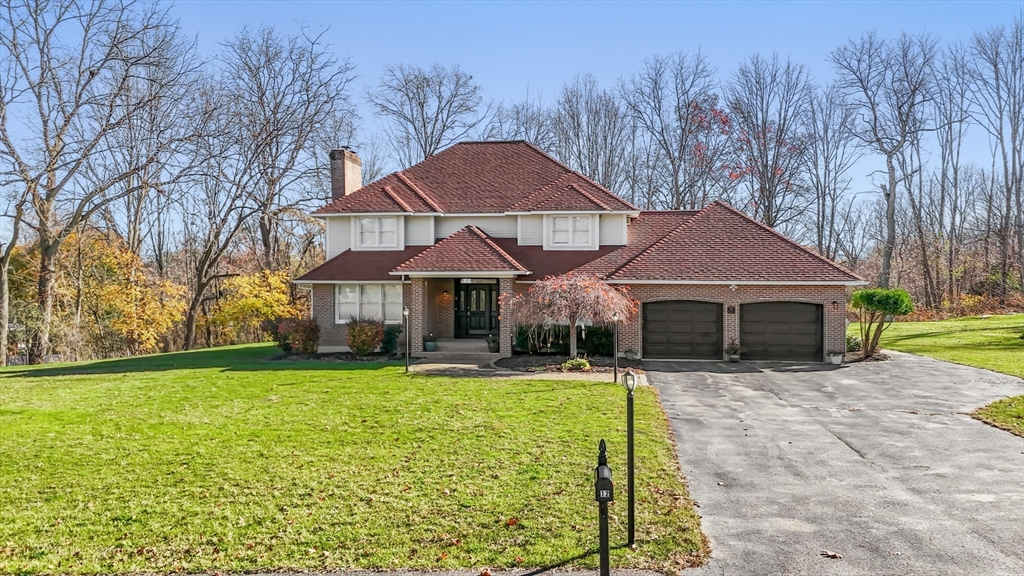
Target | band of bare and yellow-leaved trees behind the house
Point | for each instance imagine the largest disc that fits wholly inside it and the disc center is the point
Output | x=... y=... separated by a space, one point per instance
x=155 y=198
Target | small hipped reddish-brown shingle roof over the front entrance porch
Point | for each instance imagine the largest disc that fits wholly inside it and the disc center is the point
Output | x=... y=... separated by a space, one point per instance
x=467 y=251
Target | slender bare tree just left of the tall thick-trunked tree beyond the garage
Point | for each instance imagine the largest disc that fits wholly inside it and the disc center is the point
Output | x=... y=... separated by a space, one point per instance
x=831 y=153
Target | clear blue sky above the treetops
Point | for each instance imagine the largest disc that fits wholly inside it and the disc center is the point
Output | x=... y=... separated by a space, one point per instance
x=513 y=48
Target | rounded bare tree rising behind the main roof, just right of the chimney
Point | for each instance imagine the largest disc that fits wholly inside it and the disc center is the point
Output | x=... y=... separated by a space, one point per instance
x=428 y=110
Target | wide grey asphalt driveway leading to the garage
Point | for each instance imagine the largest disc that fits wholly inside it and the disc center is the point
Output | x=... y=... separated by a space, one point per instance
x=877 y=463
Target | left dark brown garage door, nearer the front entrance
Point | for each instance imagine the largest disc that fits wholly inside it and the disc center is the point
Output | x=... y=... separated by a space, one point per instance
x=680 y=330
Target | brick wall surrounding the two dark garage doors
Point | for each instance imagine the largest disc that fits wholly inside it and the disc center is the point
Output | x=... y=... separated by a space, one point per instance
x=630 y=333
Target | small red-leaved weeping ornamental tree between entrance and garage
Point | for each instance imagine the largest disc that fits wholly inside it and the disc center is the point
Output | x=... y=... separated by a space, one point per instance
x=572 y=300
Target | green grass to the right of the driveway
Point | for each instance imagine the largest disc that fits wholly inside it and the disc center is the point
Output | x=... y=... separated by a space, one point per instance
x=993 y=343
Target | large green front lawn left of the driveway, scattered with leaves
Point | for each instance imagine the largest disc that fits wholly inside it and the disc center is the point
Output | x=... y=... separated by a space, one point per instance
x=220 y=461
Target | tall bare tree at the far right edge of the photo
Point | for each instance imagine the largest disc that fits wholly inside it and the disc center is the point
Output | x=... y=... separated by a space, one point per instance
x=998 y=98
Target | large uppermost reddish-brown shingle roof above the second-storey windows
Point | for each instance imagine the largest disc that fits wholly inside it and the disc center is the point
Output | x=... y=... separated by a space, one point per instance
x=476 y=178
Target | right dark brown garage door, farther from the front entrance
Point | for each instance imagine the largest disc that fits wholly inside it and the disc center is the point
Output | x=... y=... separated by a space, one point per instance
x=782 y=332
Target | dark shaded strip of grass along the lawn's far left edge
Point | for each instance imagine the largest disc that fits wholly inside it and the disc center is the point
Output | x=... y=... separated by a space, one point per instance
x=239 y=359
